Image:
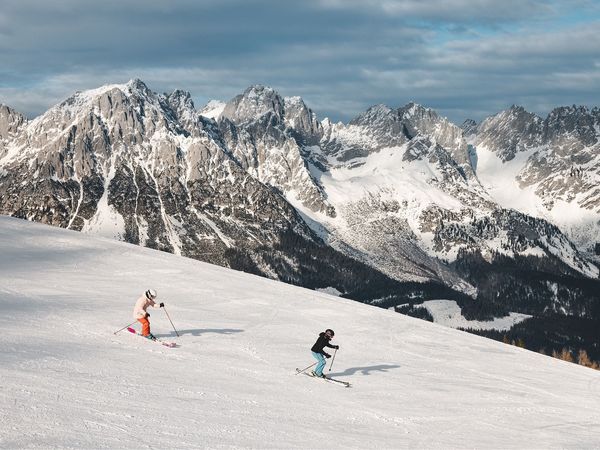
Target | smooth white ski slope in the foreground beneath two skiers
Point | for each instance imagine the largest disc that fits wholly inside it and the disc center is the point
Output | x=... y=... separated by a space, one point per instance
x=67 y=381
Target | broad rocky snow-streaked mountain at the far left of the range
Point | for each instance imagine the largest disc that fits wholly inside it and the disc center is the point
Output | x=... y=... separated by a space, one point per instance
x=125 y=162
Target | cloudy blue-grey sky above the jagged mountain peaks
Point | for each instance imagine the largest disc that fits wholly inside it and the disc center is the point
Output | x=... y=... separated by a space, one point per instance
x=463 y=58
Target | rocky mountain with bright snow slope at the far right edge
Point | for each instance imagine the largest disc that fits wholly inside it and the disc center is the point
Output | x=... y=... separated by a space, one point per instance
x=547 y=168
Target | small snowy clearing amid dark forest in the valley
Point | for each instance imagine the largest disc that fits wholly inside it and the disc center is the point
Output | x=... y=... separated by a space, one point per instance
x=448 y=314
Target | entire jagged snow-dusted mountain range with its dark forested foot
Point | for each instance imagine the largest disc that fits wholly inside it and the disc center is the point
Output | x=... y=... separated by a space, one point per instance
x=394 y=208
